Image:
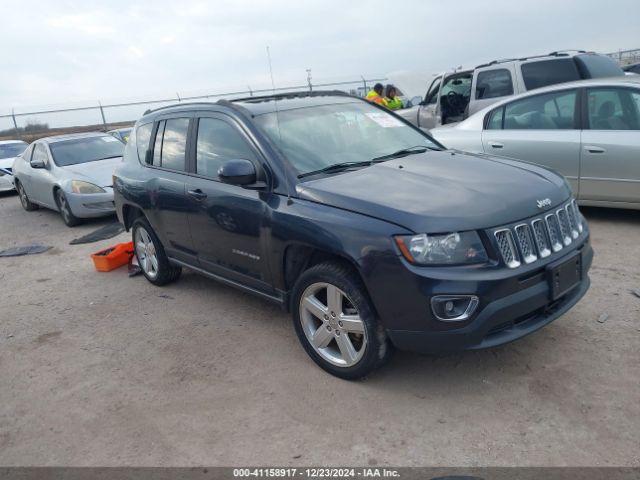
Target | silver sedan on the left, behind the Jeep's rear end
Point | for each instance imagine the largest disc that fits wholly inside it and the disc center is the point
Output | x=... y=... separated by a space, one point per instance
x=71 y=174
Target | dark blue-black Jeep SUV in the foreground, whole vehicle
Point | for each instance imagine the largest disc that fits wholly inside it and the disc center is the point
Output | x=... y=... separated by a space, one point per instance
x=370 y=232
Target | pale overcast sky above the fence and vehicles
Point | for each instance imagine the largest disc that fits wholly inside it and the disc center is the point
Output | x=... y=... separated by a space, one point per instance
x=62 y=52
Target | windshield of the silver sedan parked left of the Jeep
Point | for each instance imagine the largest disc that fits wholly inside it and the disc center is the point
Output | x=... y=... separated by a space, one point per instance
x=83 y=150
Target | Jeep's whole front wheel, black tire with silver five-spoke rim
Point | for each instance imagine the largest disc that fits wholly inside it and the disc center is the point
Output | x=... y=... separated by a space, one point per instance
x=336 y=323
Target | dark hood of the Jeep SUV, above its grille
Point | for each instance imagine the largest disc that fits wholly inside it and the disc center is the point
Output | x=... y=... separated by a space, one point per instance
x=445 y=191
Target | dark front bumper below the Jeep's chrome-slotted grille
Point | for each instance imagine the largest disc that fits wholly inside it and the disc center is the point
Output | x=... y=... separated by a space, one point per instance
x=511 y=307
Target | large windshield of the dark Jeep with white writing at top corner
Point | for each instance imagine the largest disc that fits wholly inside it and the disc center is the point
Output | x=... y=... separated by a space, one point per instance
x=314 y=138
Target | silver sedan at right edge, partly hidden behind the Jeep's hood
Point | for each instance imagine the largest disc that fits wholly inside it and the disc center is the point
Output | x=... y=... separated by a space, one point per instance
x=589 y=131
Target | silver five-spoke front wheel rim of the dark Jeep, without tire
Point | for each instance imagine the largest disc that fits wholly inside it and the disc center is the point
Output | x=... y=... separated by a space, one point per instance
x=332 y=325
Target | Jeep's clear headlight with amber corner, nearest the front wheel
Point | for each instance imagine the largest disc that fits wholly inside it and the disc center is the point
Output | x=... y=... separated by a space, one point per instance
x=448 y=249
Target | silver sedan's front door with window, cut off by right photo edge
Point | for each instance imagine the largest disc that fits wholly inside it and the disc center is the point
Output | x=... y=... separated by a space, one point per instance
x=611 y=146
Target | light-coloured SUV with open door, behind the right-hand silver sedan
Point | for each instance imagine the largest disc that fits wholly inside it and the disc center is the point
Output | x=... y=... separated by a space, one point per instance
x=453 y=96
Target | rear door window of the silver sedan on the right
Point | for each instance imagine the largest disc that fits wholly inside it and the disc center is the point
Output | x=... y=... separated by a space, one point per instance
x=551 y=111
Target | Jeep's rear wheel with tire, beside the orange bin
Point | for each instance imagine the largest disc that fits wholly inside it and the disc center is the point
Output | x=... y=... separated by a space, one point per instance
x=151 y=256
